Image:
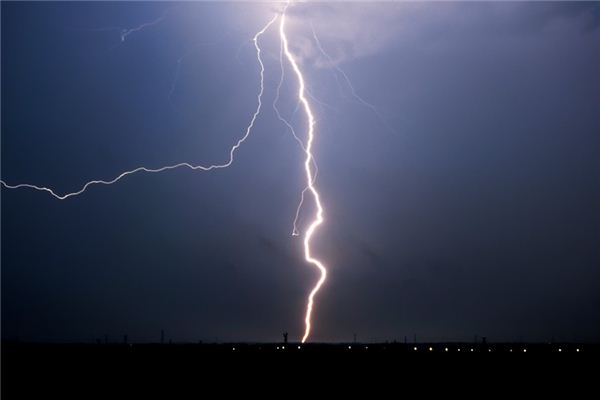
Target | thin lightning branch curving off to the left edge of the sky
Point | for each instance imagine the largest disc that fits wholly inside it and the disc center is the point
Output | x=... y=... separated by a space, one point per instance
x=174 y=166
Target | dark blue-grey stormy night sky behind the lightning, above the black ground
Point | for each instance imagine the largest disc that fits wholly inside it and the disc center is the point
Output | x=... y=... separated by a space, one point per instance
x=470 y=208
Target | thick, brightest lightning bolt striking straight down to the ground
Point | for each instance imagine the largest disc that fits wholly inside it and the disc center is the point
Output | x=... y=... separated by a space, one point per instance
x=310 y=178
